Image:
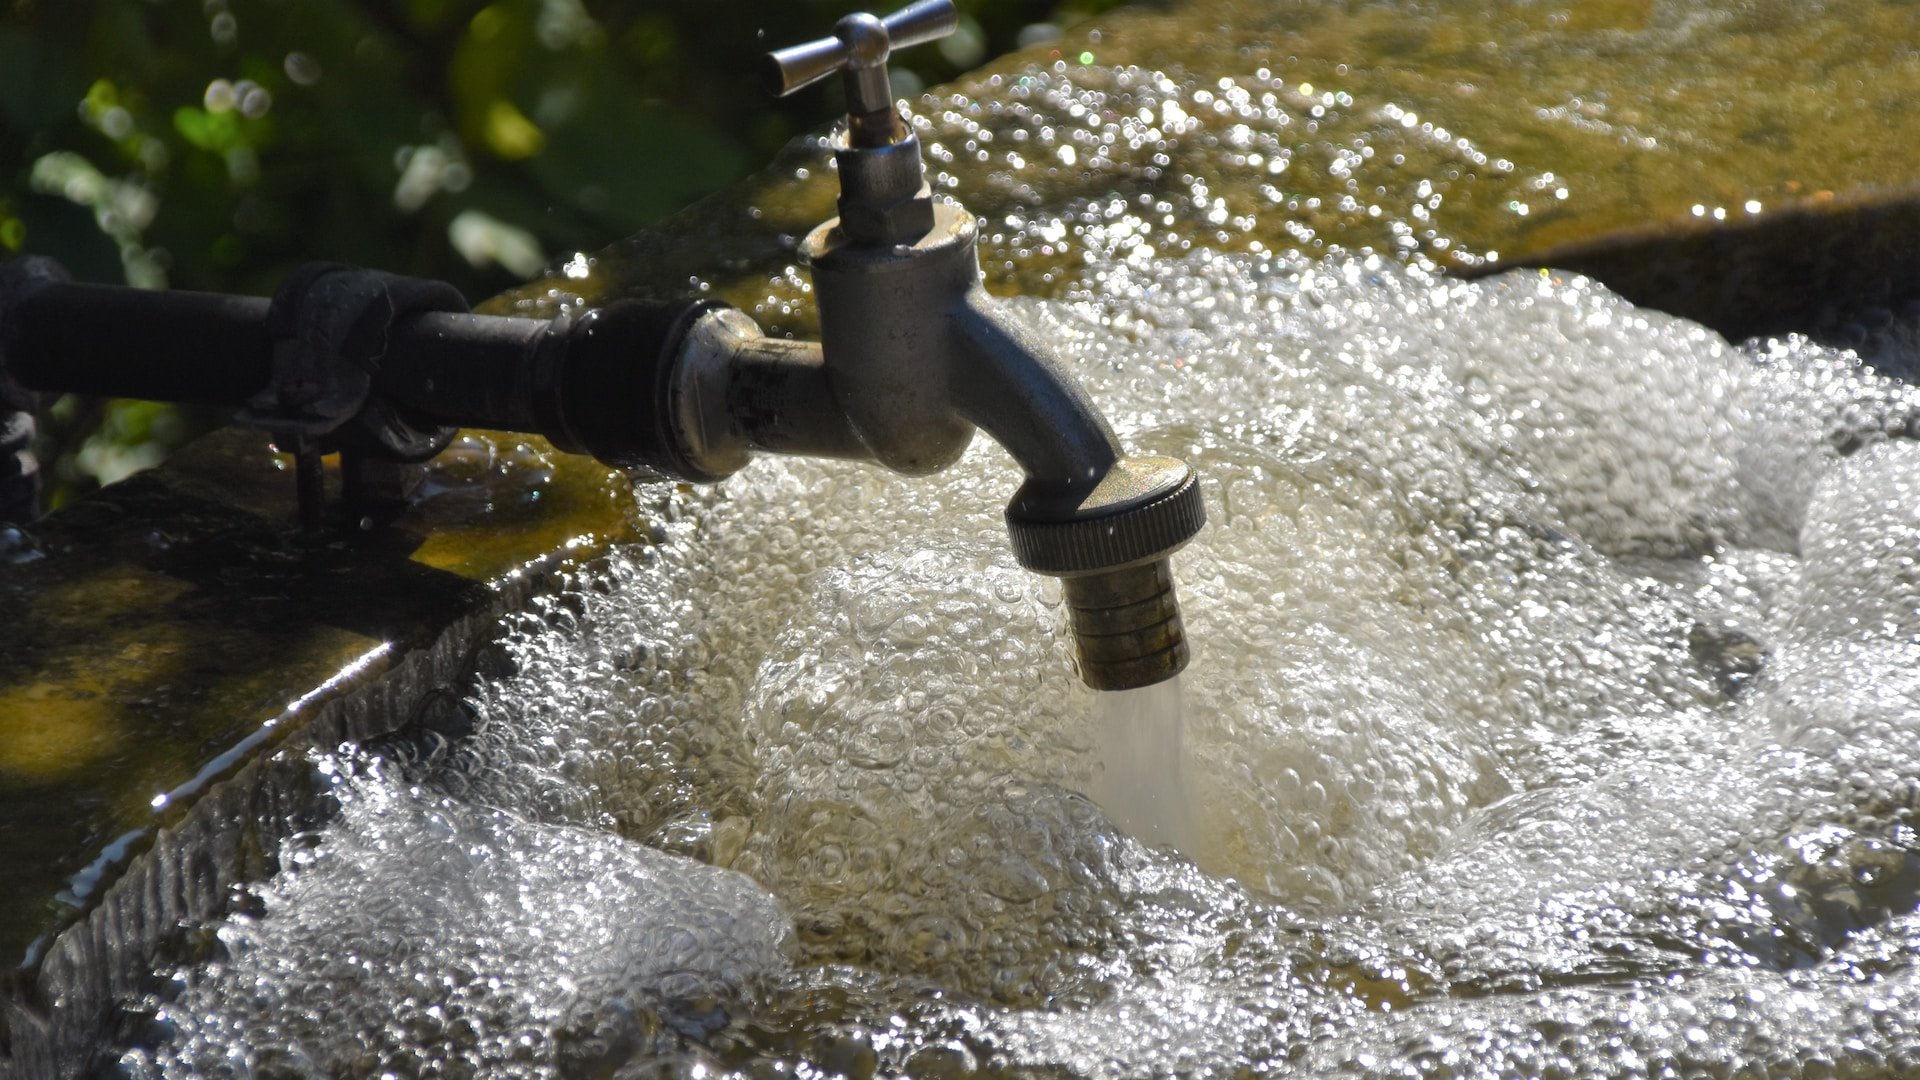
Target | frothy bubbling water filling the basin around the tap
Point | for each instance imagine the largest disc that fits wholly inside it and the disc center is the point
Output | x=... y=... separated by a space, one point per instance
x=1554 y=708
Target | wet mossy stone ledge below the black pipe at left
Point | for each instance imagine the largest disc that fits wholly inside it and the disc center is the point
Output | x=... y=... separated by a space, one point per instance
x=160 y=624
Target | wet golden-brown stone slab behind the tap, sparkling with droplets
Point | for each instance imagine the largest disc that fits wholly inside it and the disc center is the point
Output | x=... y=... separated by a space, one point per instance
x=1698 y=157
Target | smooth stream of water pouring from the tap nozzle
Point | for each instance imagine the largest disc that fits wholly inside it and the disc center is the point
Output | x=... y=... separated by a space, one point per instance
x=1143 y=766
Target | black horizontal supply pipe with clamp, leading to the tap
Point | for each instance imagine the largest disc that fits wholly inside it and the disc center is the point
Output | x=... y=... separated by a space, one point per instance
x=592 y=385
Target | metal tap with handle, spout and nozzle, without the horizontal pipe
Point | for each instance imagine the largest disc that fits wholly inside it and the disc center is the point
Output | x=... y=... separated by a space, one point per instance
x=917 y=355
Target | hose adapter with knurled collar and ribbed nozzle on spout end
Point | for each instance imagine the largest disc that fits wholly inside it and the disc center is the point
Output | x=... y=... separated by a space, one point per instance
x=1113 y=552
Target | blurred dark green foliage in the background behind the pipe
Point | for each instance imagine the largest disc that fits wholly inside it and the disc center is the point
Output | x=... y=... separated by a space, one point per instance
x=214 y=145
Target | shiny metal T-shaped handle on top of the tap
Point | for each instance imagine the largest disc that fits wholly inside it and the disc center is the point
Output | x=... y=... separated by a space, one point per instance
x=859 y=47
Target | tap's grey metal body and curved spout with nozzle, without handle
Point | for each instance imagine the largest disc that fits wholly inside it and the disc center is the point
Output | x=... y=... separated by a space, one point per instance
x=921 y=356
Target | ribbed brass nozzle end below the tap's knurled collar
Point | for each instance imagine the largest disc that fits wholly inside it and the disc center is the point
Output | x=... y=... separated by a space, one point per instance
x=1128 y=626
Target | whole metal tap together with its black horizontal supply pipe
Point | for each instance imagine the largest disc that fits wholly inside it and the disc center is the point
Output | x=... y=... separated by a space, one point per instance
x=913 y=358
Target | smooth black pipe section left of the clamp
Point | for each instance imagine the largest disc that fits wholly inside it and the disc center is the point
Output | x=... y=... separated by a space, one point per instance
x=107 y=341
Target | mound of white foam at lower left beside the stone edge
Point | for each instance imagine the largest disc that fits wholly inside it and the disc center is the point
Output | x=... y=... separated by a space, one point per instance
x=420 y=935
